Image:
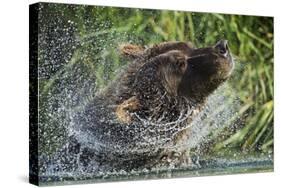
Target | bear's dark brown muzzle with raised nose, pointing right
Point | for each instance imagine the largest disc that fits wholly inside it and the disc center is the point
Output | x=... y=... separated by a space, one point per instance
x=206 y=69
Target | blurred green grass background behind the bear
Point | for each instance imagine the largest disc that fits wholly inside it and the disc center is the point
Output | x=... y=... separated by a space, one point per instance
x=95 y=32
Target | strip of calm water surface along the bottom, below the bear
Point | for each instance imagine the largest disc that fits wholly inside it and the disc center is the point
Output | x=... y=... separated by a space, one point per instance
x=207 y=167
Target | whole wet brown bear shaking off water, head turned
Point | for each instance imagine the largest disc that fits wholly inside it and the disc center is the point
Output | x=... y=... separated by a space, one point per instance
x=143 y=117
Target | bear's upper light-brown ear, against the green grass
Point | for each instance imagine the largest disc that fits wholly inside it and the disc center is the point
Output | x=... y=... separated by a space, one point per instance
x=131 y=51
